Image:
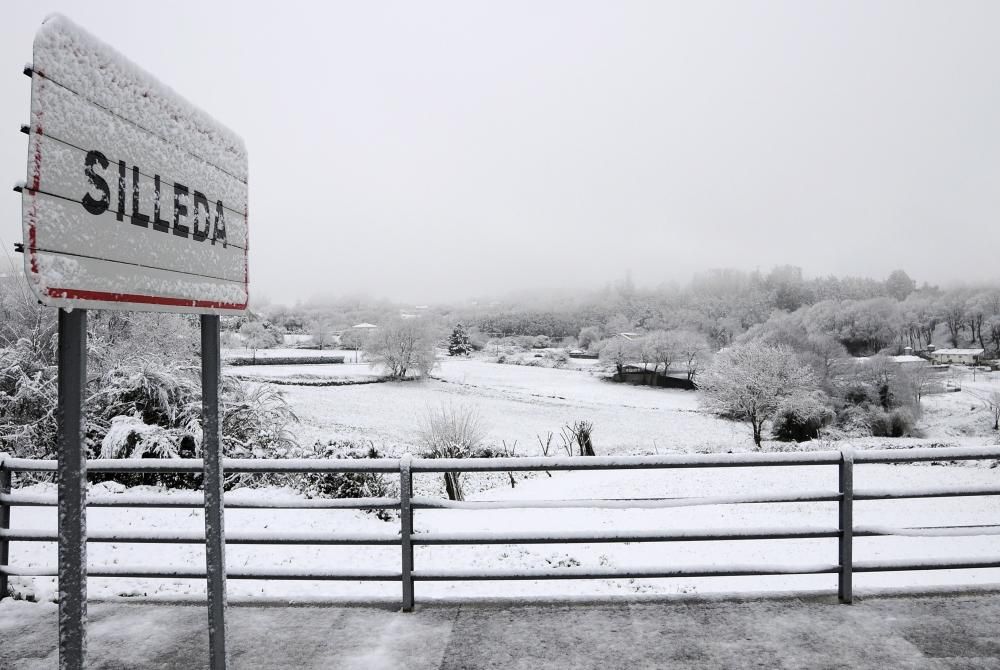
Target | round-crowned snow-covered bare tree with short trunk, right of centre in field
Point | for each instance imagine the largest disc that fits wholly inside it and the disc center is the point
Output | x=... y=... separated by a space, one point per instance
x=749 y=382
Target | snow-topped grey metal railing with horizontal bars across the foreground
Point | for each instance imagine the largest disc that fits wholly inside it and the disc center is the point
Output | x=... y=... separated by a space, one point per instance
x=407 y=504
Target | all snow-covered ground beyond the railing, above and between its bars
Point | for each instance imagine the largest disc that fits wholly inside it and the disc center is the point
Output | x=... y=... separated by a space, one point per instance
x=519 y=403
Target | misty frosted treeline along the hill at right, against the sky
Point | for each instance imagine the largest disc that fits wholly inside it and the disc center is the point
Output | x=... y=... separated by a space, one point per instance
x=865 y=315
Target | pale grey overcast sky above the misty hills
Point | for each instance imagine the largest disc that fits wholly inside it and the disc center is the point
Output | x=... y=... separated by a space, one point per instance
x=432 y=151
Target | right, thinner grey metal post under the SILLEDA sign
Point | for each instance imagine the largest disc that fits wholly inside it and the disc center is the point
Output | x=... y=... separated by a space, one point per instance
x=211 y=448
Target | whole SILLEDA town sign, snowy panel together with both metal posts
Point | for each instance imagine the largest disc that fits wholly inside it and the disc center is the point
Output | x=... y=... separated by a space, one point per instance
x=135 y=200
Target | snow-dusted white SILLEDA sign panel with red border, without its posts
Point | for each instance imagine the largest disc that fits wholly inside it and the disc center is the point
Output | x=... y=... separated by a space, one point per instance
x=135 y=199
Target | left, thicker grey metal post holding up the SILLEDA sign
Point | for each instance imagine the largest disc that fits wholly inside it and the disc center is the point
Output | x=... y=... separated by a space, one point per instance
x=72 y=475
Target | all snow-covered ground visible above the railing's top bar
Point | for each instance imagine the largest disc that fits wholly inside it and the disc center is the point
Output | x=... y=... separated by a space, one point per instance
x=519 y=403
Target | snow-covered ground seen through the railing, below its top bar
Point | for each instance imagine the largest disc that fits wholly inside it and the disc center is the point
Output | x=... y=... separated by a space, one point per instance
x=626 y=484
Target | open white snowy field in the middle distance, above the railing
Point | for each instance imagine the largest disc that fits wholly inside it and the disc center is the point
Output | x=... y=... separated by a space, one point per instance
x=519 y=404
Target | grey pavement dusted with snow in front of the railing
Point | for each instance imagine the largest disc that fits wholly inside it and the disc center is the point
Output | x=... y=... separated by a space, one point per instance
x=959 y=631
